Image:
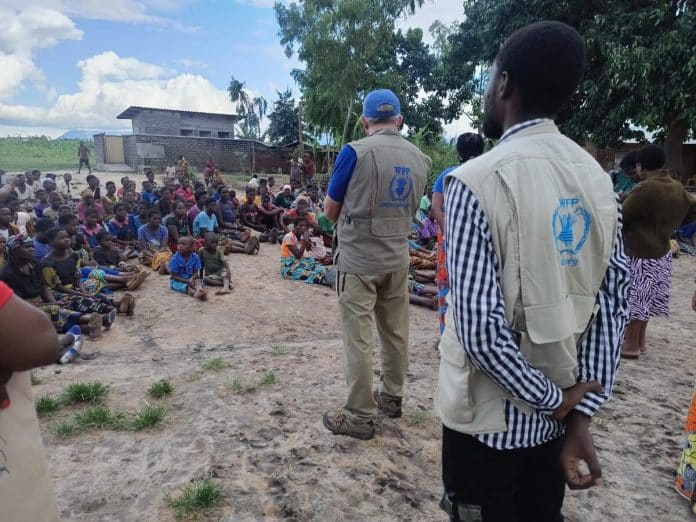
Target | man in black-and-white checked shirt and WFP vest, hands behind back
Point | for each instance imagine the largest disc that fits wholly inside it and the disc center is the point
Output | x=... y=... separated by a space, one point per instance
x=539 y=284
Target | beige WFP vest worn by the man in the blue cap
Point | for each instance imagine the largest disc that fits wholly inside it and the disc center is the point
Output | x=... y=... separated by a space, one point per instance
x=377 y=211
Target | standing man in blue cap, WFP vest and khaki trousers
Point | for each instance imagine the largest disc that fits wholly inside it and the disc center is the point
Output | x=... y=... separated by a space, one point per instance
x=374 y=192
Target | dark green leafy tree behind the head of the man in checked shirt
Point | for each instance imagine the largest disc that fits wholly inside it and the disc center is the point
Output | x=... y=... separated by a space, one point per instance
x=641 y=64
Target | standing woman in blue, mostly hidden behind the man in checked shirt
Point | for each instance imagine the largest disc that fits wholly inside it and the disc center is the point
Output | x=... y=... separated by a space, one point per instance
x=469 y=145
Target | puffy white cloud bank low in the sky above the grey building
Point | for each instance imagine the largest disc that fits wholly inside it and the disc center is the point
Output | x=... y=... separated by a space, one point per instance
x=109 y=84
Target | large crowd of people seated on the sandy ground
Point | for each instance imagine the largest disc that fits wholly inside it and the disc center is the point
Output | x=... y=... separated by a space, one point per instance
x=68 y=252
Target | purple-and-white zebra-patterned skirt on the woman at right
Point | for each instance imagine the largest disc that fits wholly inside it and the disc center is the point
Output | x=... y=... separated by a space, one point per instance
x=648 y=295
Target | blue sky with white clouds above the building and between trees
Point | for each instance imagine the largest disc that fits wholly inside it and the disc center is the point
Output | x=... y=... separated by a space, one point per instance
x=77 y=63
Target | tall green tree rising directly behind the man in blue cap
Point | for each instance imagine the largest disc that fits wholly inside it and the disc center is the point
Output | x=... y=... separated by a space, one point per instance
x=350 y=47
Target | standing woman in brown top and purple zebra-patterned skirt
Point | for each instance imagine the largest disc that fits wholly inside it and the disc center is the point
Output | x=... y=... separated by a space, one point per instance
x=651 y=213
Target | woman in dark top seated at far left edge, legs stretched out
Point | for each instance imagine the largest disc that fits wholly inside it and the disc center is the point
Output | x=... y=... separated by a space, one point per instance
x=23 y=274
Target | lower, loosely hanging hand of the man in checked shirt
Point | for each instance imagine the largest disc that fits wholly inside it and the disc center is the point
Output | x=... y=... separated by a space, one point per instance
x=577 y=448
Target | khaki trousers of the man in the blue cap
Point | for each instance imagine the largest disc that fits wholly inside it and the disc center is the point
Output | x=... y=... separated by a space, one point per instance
x=365 y=300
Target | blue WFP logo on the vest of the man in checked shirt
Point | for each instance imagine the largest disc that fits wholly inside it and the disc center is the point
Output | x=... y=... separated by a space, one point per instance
x=571 y=226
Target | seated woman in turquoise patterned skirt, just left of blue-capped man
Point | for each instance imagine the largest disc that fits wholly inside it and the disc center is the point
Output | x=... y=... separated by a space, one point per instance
x=296 y=261
